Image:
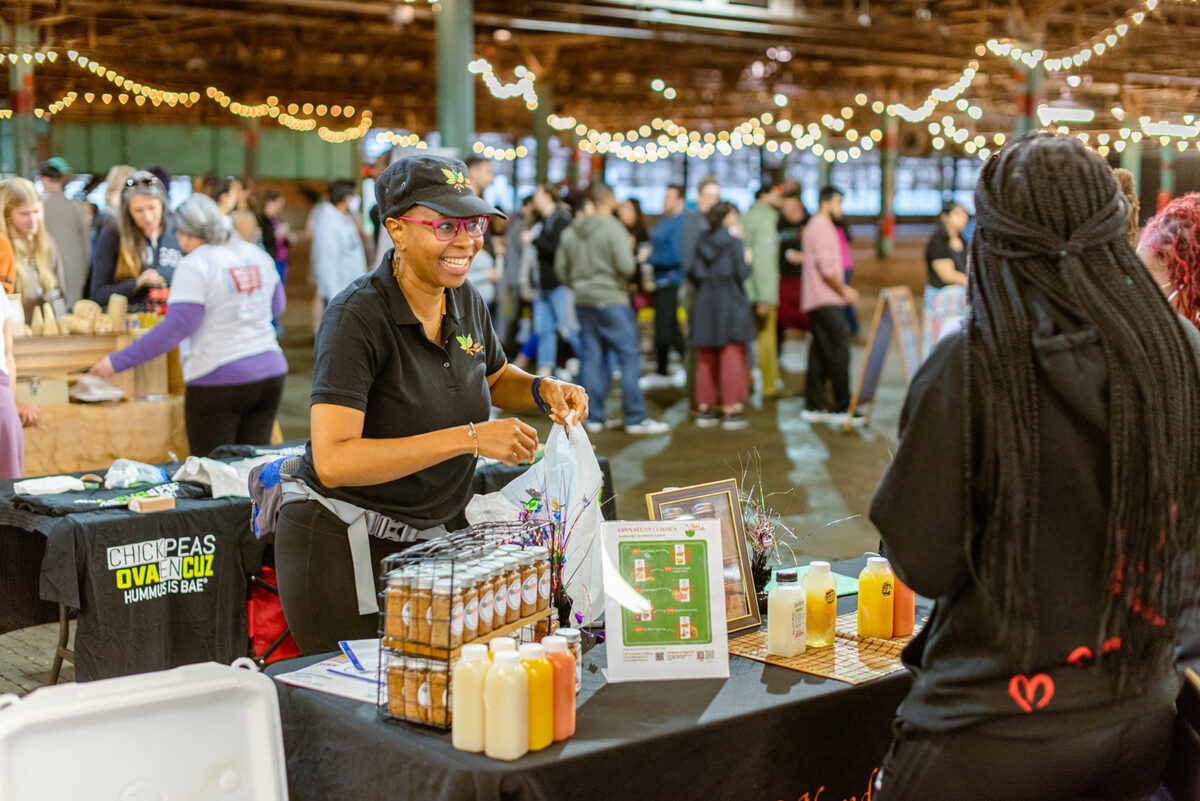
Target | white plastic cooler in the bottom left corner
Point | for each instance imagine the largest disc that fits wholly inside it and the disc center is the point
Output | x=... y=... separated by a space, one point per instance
x=202 y=733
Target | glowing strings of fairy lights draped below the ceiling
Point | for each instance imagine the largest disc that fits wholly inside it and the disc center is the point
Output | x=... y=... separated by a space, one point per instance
x=662 y=137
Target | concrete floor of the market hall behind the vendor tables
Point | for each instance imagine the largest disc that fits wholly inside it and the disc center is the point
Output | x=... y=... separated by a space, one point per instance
x=817 y=478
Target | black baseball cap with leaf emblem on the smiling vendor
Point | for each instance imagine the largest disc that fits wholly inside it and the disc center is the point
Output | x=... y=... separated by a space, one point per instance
x=437 y=183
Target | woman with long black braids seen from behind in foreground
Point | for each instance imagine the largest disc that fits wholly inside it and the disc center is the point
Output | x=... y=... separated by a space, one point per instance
x=1043 y=492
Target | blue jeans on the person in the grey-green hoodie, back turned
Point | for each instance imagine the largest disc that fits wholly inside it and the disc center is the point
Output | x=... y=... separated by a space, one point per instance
x=610 y=330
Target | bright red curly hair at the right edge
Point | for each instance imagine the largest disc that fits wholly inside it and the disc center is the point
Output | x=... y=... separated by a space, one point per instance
x=1173 y=238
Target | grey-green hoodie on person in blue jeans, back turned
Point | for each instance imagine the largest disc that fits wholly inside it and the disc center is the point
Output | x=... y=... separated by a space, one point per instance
x=596 y=260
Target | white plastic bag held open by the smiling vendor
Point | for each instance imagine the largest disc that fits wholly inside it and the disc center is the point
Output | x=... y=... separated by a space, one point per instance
x=568 y=481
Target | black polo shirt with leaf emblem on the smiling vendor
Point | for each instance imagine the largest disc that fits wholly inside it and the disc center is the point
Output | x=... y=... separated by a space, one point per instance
x=373 y=356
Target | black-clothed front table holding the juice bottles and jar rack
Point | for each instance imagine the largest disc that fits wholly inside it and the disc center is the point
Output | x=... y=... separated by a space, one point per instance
x=766 y=733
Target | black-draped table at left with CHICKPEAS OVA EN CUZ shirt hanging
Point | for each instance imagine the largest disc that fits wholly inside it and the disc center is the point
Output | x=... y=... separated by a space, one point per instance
x=128 y=623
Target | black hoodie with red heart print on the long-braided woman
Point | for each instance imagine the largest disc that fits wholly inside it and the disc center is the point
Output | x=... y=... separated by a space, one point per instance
x=963 y=676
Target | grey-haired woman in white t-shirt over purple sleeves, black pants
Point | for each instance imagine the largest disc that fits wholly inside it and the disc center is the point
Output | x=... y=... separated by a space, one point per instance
x=225 y=294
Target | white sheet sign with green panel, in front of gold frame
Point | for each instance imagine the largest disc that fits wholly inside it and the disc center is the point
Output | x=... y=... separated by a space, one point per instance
x=675 y=570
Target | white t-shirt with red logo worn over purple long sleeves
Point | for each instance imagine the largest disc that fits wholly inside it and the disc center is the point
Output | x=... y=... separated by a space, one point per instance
x=236 y=282
